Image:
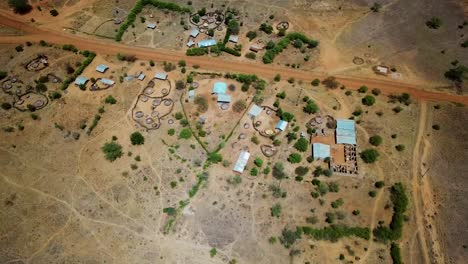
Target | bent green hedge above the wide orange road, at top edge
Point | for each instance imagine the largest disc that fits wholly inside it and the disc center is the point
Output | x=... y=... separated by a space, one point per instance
x=132 y=15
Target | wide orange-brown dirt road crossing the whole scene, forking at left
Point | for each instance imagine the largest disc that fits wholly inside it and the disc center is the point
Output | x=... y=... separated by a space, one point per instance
x=109 y=47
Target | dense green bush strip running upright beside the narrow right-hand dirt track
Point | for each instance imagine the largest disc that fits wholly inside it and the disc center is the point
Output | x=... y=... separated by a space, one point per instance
x=400 y=204
